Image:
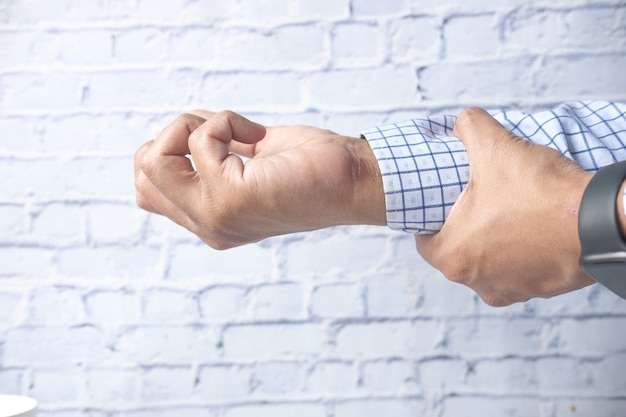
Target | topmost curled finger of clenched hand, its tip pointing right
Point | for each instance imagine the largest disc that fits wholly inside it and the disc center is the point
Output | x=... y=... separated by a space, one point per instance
x=211 y=143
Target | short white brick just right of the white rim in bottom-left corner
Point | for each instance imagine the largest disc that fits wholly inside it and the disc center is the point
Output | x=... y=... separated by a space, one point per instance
x=57 y=385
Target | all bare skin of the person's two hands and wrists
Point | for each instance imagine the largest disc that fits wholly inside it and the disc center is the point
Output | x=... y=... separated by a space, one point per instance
x=511 y=236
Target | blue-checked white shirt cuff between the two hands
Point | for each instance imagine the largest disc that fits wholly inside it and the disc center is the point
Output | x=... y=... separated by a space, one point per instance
x=424 y=169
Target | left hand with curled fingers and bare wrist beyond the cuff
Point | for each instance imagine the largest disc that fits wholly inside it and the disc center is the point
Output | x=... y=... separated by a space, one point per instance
x=298 y=178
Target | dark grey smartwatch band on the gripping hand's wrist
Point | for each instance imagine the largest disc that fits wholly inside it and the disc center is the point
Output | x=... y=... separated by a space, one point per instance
x=603 y=255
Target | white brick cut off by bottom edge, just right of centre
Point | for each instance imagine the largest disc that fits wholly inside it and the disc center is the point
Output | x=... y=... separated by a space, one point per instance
x=372 y=408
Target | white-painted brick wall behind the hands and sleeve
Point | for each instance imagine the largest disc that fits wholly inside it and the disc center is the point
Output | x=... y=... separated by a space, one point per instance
x=106 y=311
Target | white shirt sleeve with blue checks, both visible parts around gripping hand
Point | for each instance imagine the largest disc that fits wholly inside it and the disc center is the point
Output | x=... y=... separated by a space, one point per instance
x=424 y=166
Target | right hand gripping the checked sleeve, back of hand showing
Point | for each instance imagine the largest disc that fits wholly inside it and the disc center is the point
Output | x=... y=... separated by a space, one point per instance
x=513 y=233
